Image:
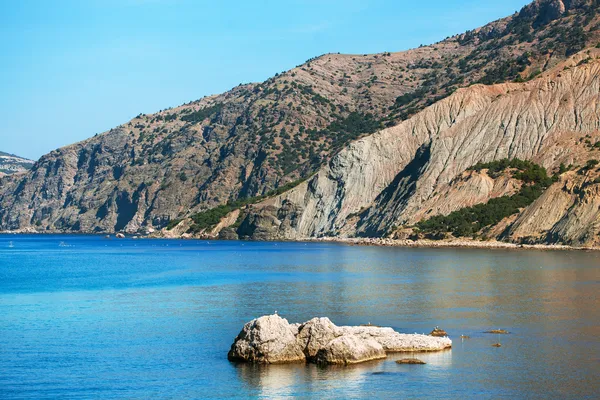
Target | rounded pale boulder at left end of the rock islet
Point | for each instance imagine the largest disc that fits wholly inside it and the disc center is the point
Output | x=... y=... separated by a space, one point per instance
x=267 y=340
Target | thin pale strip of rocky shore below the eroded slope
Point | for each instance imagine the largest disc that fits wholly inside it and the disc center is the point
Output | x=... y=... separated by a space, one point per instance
x=458 y=243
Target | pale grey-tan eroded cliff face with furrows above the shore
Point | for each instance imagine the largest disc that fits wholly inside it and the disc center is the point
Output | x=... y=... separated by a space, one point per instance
x=403 y=174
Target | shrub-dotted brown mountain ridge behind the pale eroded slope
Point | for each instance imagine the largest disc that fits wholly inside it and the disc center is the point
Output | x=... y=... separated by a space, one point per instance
x=246 y=142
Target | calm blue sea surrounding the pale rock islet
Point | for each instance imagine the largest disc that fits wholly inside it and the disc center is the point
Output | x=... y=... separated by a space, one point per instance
x=99 y=318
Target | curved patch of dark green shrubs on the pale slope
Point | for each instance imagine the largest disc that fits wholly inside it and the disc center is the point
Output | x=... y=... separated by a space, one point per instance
x=468 y=221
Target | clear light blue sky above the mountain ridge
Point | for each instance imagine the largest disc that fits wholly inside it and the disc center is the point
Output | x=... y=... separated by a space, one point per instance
x=72 y=68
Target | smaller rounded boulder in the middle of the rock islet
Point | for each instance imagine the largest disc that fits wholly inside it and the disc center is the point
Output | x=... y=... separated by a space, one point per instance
x=350 y=349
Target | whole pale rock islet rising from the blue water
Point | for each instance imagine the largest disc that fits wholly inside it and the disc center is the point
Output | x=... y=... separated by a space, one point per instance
x=273 y=340
